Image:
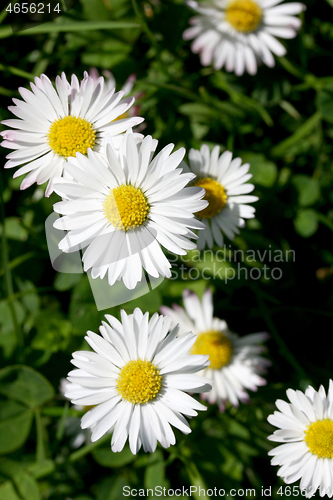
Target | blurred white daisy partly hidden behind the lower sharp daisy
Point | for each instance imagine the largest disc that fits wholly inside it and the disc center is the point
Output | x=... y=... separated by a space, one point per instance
x=235 y=362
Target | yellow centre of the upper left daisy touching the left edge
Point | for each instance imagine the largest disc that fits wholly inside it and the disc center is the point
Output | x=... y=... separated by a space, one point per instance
x=70 y=135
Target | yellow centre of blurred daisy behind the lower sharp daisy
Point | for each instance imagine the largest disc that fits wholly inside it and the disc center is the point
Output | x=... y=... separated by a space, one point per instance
x=216 y=345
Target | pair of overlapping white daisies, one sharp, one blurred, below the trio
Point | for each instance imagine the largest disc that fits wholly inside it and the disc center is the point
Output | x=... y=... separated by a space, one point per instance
x=139 y=370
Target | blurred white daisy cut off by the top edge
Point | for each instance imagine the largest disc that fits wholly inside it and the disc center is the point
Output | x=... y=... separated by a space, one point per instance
x=238 y=34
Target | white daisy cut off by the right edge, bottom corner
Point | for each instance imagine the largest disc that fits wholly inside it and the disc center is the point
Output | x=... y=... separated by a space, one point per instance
x=306 y=431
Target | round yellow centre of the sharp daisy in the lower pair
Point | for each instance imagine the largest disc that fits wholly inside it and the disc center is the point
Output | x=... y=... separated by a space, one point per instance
x=139 y=382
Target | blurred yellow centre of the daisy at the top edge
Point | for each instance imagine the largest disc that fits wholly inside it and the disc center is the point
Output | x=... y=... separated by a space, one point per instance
x=243 y=15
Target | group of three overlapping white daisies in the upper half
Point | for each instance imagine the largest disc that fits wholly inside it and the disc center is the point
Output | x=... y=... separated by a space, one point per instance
x=121 y=202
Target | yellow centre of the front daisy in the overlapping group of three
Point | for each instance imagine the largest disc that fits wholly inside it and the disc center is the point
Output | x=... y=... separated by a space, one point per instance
x=126 y=207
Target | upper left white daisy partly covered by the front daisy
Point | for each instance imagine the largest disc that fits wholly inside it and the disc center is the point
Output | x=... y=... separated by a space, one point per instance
x=54 y=124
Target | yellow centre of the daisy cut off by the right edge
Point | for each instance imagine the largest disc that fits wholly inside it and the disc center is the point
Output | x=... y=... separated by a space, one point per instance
x=319 y=438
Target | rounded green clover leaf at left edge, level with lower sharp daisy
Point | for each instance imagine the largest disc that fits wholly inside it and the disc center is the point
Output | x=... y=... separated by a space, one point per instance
x=26 y=385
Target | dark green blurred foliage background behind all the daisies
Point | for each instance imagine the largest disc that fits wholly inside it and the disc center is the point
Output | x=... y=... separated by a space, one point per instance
x=281 y=121
